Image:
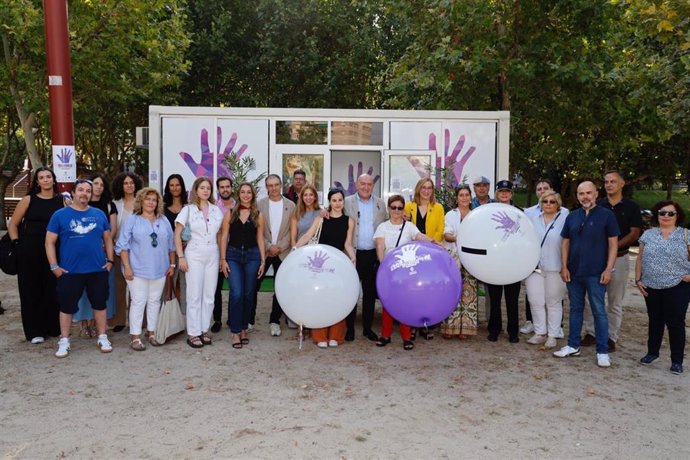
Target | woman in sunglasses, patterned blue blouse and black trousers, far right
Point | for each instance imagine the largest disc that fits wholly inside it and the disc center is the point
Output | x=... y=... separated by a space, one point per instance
x=662 y=274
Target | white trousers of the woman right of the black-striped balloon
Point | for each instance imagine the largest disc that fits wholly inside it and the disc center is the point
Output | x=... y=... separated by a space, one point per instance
x=545 y=292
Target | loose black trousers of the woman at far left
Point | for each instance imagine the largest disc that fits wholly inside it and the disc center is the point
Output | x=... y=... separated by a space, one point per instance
x=37 y=290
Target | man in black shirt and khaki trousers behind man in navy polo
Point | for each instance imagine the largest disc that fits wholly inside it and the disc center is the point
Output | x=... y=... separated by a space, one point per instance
x=629 y=218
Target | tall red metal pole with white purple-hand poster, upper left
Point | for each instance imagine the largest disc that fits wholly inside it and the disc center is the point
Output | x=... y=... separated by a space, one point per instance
x=60 y=93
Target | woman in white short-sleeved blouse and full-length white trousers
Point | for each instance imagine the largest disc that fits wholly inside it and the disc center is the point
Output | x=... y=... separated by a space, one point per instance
x=200 y=259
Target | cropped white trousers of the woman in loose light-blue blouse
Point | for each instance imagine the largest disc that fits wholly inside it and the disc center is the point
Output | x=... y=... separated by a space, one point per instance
x=145 y=295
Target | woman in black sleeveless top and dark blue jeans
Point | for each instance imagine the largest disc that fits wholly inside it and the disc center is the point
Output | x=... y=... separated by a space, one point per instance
x=242 y=256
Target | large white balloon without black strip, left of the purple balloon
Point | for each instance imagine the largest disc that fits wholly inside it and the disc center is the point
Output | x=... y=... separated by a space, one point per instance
x=317 y=286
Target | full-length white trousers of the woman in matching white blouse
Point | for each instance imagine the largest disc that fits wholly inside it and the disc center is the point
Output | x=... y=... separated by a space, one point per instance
x=201 y=277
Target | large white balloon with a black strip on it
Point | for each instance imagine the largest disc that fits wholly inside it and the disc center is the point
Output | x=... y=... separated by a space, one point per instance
x=498 y=244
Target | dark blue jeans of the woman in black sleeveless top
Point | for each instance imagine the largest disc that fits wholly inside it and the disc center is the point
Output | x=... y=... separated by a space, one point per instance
x=244 y=266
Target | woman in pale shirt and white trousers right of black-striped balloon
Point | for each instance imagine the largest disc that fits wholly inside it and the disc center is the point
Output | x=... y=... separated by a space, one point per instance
x=545 y=288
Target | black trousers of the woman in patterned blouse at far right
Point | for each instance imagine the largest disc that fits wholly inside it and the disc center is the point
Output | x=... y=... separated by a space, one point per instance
x=668 y=308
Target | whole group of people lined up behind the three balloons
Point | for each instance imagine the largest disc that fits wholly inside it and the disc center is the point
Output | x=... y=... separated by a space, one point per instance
x=69 y=247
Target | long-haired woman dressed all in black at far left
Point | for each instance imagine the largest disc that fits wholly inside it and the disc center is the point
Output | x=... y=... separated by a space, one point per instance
x=27 y=229
